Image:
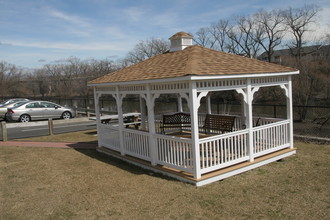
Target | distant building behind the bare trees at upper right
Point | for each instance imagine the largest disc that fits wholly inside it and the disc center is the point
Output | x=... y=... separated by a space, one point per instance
x=314 y=52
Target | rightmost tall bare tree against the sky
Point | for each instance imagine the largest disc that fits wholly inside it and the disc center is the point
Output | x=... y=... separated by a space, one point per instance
x=298 y=21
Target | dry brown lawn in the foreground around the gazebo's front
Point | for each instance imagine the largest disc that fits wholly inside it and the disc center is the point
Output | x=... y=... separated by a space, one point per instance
x=44 y=183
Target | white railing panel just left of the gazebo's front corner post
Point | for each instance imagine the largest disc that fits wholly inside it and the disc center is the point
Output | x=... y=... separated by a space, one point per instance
x=175 y=152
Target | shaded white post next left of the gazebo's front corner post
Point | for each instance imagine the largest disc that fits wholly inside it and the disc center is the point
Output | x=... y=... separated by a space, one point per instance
x=152 y=130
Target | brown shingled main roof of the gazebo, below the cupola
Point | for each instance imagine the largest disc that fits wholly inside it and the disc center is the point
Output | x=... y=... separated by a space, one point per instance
x=193 y=60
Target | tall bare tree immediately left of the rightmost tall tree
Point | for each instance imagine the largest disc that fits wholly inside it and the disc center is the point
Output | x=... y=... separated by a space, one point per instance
x=272 y=30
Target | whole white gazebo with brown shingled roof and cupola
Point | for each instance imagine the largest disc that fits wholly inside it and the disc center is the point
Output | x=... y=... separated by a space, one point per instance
x=194 y=148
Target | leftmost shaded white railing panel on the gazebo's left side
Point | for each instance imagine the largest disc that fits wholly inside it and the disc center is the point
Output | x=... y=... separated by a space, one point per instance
x=109 y=136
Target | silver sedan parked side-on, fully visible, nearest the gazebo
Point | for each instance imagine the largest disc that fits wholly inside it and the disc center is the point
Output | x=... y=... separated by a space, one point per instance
x=37 y=110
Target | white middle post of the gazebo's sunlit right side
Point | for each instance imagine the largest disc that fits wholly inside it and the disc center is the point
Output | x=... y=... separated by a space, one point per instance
x=250 y=119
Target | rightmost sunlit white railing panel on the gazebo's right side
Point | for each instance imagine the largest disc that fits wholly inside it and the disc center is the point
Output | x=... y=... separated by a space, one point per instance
x=271 y=137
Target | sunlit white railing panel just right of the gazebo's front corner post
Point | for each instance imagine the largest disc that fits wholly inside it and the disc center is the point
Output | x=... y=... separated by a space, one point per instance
x=223 y=150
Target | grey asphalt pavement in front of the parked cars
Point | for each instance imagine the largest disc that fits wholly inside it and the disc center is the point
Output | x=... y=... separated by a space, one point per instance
x=42 y=130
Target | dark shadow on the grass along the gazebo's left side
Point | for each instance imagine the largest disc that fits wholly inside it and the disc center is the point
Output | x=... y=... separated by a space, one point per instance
x=89 y=149
